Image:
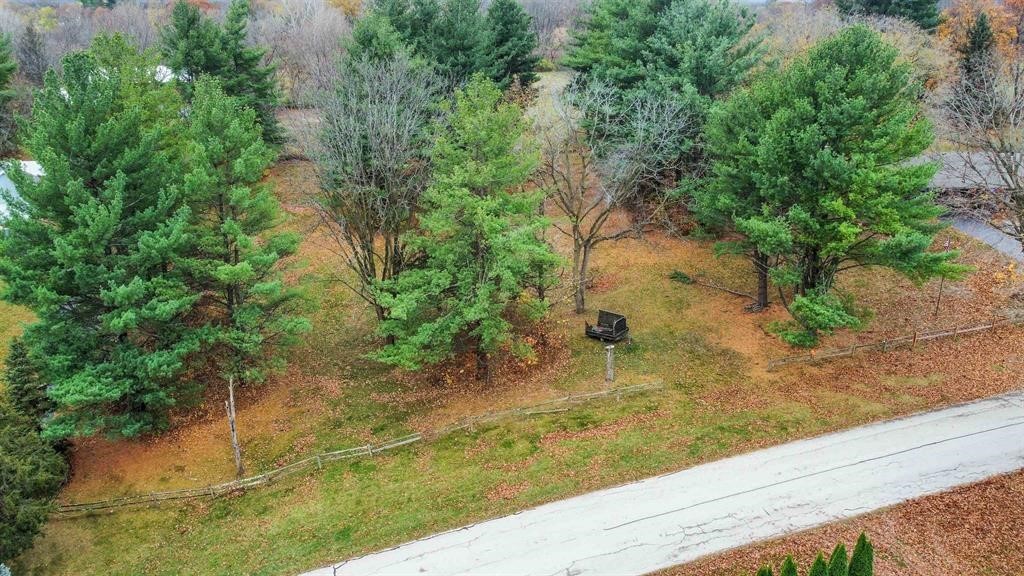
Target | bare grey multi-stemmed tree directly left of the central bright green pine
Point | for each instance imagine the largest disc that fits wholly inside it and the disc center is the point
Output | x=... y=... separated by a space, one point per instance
x=372 y=152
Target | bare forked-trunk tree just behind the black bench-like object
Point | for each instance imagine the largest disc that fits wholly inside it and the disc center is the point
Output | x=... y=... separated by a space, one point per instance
x=593 y=163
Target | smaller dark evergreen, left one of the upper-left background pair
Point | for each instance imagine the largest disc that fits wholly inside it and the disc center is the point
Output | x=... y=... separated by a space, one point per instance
x=192 y=46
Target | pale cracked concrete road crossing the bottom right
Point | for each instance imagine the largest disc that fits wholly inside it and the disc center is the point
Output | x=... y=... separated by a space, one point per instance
x=664 y=521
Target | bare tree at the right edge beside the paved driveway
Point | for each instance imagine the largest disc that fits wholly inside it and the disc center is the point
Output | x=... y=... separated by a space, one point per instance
x=984 y=115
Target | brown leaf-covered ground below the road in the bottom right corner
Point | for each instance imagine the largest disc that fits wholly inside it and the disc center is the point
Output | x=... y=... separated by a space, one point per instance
x=972 y=530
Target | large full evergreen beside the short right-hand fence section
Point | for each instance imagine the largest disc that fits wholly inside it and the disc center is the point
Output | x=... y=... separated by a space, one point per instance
x=812 y=166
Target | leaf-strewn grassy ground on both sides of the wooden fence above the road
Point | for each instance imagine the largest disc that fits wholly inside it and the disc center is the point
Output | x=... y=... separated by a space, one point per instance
x=719 y=400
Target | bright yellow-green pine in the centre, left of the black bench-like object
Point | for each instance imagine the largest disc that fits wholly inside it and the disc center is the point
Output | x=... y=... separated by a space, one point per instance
x=479 y=237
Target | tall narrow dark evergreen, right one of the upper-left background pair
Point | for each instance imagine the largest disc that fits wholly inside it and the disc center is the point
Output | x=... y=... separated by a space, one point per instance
x=244 y=75
